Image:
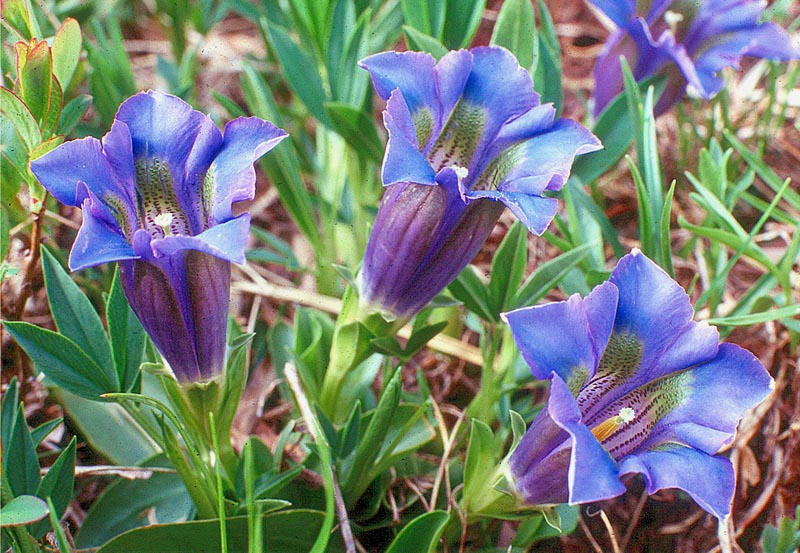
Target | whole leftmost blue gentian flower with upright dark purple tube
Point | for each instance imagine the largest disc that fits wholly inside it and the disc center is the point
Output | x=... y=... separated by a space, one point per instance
x=156 y=195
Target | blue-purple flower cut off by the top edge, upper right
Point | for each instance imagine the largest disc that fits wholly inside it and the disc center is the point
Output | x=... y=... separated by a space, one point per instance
x=689 y=42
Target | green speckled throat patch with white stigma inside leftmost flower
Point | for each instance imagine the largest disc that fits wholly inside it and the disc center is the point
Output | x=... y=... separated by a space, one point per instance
x=159 y=211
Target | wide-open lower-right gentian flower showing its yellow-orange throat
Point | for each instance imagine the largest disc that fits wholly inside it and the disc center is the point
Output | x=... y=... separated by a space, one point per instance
x=637 y=386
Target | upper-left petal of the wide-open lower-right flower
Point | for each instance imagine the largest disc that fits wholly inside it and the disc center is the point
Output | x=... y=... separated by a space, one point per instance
x=566 y=336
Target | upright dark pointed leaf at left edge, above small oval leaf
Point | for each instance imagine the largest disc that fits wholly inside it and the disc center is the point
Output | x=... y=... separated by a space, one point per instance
x=20 y=463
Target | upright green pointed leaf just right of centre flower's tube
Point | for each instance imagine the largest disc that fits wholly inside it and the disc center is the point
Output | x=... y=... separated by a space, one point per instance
x=508 y=267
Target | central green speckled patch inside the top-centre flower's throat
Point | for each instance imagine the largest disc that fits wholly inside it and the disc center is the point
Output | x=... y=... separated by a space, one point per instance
x=459 y=138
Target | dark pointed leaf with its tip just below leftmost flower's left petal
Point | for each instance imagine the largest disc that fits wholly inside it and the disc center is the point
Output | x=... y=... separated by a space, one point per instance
x=74 y=315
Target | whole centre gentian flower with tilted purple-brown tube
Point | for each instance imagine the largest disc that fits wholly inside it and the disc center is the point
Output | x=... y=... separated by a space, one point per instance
x=467 y=136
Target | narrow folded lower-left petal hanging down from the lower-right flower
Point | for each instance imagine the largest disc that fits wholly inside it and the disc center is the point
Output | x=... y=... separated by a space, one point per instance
x=593 y=474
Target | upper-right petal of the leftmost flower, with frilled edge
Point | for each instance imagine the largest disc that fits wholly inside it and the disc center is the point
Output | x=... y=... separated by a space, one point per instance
x=245 y=140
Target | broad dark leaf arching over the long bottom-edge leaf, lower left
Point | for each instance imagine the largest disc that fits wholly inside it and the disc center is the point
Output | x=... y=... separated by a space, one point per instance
x=162 y=497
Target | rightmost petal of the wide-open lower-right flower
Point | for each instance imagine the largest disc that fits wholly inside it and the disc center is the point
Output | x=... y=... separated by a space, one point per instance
x=720 y=392
